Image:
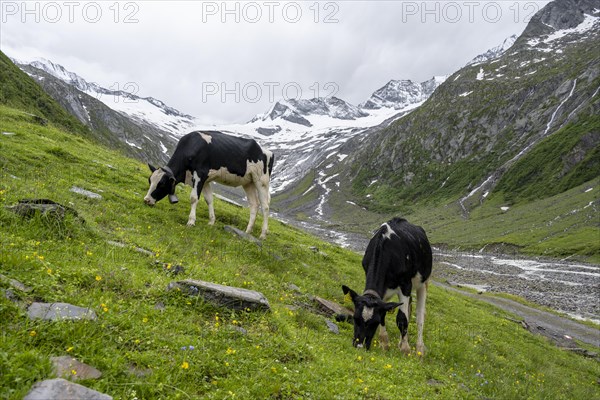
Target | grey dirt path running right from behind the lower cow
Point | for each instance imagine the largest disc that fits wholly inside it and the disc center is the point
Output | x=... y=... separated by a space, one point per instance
x=549 y=322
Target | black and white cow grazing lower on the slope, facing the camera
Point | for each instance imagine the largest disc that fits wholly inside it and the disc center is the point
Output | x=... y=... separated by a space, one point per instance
x=398 y=259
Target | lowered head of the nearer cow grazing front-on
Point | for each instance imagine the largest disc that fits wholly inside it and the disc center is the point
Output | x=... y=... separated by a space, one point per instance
x=369 y=313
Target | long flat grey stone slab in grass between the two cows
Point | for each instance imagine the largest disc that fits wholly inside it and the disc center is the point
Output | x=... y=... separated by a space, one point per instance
x=221 y=295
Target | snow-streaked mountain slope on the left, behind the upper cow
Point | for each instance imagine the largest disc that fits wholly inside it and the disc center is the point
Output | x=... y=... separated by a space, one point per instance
x=147 y=132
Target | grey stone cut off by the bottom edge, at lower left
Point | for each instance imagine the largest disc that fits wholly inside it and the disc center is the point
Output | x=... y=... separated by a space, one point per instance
x=63 y=389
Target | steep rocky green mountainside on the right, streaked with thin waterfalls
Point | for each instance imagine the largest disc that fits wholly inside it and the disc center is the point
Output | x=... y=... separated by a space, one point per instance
x=481 y=126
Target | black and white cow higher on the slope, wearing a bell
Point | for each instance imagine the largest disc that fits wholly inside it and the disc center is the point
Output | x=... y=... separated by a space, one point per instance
x=205 y=156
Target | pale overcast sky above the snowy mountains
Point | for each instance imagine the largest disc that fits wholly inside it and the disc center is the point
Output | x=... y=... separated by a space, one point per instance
x=224 y=62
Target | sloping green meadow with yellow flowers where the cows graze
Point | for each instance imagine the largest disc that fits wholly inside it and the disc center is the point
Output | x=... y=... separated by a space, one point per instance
x=152 y=343
